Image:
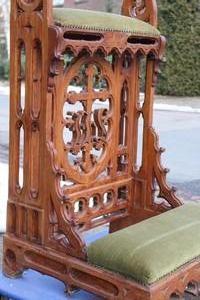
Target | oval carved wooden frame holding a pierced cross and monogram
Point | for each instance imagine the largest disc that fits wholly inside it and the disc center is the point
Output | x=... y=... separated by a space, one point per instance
x=87 y=120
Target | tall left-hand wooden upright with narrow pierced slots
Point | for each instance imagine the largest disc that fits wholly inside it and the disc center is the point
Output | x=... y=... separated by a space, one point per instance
x=28 y=96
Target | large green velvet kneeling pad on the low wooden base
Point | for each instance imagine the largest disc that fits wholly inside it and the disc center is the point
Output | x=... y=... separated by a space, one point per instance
x=152 y=248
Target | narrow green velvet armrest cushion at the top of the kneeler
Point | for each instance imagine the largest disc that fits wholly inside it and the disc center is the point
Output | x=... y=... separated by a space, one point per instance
x=100 y=21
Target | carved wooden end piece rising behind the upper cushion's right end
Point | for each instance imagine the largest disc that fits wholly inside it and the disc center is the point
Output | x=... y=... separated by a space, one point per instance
x=145 y=10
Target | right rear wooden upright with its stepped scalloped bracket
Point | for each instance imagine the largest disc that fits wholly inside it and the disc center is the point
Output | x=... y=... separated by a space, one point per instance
x=152 y=170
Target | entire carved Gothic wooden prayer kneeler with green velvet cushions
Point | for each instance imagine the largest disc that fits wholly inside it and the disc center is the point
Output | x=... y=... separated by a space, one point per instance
x=75 y=143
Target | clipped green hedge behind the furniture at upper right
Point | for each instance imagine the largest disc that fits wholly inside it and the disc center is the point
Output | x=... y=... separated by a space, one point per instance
x=179 y=21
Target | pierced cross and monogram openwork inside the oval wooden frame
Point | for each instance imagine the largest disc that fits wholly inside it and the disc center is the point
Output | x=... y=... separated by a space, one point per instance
x=89 y=125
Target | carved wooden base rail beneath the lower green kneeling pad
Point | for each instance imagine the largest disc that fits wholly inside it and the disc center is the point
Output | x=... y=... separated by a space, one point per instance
x=78 y=274
